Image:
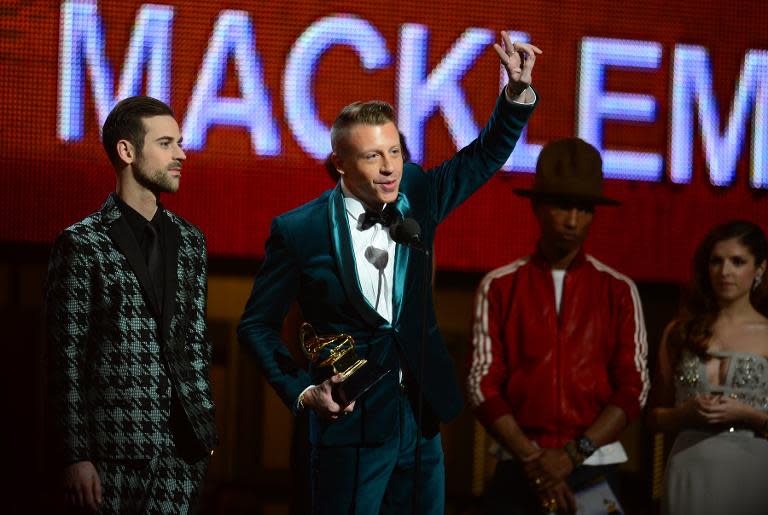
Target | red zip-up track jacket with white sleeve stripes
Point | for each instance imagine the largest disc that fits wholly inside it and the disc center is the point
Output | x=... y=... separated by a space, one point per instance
x=555 y=374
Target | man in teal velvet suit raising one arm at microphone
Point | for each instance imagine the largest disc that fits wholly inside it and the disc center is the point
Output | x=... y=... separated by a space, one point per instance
x=335 y=257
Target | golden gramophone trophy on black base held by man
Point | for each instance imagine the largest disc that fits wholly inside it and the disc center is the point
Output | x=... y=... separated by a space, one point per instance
x=337 y=353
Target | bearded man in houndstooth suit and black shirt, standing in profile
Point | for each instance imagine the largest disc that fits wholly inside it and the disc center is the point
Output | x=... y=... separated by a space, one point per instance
x=128 y=349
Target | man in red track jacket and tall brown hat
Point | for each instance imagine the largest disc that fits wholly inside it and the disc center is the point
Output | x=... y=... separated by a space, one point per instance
x=558 y=366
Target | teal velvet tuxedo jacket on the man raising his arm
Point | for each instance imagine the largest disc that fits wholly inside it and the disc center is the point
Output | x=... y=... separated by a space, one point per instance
x=308 y=258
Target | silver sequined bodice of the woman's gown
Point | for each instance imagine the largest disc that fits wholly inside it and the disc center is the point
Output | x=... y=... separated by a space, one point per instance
x=746 y=378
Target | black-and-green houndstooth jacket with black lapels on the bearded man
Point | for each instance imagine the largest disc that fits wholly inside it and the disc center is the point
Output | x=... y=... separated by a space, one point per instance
x=114 y=365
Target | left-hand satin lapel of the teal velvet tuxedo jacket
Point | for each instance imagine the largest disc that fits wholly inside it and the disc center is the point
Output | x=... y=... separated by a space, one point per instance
x=341 y=242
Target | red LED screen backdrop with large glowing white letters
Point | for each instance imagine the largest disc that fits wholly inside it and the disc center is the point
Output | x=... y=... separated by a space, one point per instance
x=674 y=93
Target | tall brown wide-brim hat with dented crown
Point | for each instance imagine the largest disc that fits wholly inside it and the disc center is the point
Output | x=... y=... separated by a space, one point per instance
x=569 y=169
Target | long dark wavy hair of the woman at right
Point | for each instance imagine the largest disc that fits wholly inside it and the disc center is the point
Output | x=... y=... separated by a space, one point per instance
x=700 y=308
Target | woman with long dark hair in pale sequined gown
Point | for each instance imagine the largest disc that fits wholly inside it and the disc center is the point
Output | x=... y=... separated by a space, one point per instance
x=712 y=381
